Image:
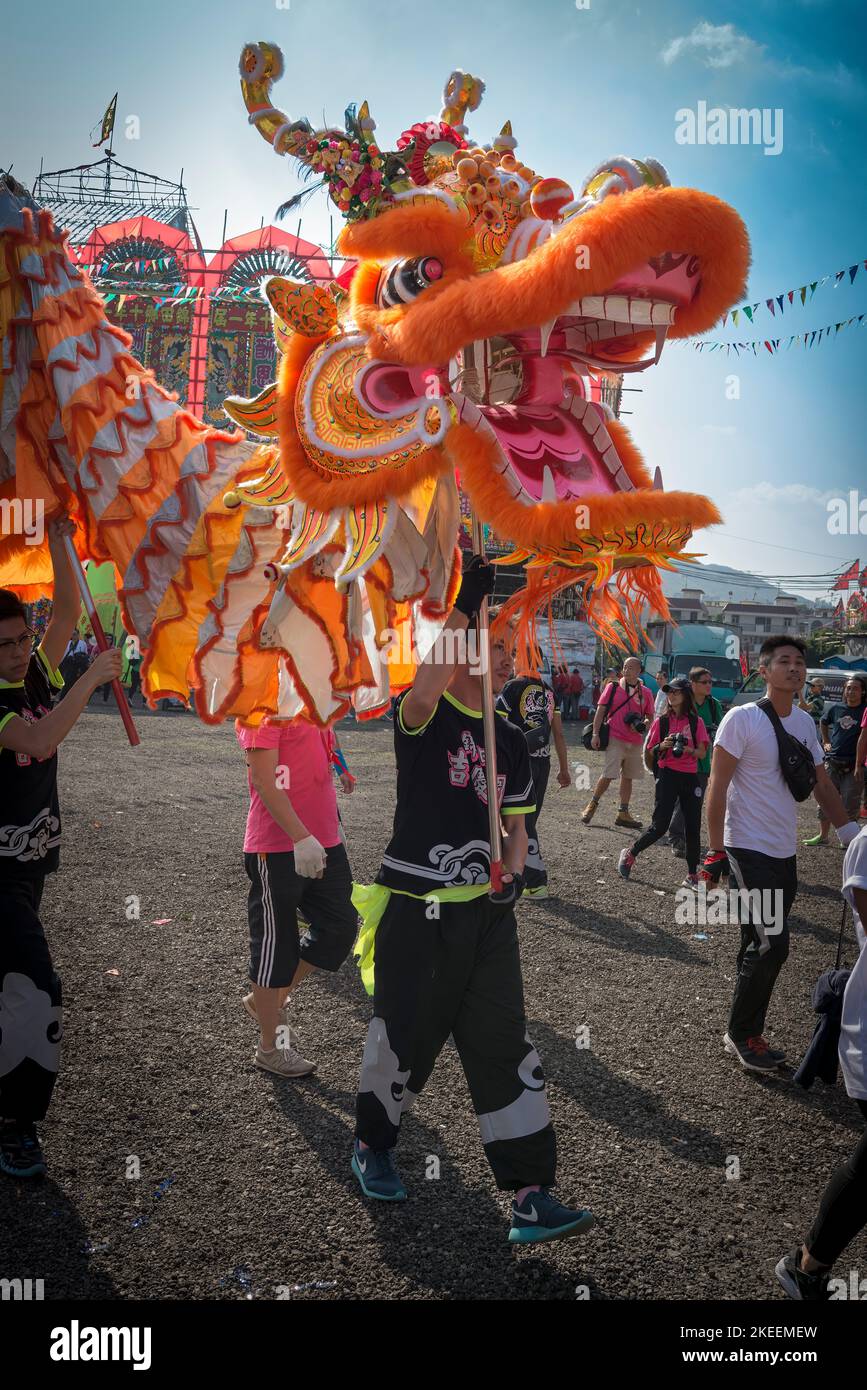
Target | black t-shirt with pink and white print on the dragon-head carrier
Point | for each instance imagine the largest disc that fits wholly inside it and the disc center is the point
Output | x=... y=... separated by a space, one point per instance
x=441 y=836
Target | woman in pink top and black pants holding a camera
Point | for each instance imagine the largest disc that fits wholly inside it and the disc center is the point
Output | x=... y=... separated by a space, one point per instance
x=675 y=744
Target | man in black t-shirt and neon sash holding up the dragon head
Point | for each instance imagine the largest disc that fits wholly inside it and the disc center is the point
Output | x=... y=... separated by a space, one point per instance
x=445 y=953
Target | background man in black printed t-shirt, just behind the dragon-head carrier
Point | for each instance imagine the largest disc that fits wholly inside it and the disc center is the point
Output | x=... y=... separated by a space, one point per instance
x=531 y=705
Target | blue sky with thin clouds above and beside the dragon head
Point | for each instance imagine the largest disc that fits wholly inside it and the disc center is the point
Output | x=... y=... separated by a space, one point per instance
x=579 y=85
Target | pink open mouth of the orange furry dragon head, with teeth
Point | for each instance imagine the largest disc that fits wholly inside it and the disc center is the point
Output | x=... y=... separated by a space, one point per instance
x=531 y=390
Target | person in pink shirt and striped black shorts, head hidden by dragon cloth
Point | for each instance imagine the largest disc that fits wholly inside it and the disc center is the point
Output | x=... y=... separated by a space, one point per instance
x=297 y=860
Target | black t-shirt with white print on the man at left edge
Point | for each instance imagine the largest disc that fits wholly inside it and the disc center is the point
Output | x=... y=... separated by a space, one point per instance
x=30 y=810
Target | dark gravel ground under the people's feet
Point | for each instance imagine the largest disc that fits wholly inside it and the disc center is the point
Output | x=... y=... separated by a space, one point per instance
x=244 y=1185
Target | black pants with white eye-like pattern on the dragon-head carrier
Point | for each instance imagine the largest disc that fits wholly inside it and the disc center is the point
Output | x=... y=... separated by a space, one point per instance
x=461 y=975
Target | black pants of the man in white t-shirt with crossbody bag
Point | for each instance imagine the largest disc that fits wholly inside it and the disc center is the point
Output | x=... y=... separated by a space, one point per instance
x=765 y=935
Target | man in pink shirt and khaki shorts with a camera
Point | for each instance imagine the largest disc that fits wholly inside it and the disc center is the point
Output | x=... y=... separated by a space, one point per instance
x=620 y=725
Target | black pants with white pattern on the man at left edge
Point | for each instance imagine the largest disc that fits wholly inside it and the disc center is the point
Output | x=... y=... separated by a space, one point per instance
x=31 y=1015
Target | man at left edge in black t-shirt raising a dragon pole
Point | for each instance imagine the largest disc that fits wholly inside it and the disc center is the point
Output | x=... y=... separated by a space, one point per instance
x=30 y=849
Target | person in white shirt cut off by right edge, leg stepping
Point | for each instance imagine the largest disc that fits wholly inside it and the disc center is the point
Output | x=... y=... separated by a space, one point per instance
x=843 y=1213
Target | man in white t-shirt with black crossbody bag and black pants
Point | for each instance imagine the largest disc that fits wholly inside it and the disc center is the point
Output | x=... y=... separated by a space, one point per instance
x=752 y=818
